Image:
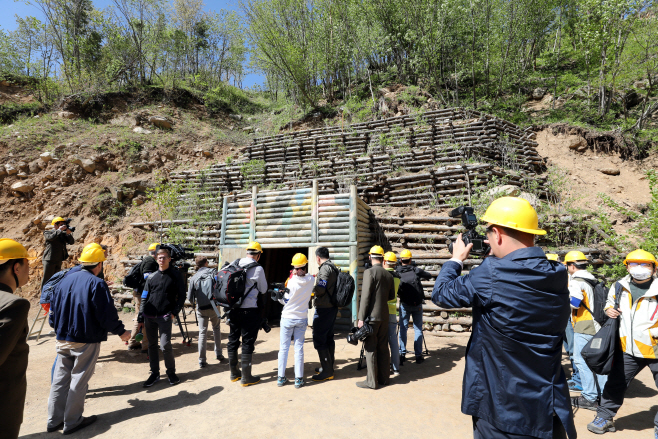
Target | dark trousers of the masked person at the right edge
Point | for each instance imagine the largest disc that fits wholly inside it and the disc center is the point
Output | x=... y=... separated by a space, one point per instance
x=624 y=369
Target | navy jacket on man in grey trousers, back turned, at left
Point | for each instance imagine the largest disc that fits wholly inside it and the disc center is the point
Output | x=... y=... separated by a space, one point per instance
x=82 y=310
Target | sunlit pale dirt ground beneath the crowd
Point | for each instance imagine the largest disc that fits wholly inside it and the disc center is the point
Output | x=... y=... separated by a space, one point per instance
x=424 y=401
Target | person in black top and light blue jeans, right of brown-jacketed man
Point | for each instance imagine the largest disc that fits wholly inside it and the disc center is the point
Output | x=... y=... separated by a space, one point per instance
x=412 y=297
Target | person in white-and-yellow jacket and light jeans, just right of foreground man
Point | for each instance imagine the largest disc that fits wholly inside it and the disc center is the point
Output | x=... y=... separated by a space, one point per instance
x=583 y=303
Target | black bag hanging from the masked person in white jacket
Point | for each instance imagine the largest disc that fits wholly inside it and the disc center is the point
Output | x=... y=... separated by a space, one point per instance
x=599 y=352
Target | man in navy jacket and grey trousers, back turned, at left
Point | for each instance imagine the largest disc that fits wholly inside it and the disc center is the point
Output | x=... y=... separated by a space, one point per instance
x=82 y=313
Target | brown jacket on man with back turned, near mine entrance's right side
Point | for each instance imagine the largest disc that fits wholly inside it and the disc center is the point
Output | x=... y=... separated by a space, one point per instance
x=377 y=289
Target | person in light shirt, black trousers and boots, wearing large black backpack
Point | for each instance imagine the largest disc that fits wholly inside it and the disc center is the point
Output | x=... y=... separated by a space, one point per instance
x=249 y=317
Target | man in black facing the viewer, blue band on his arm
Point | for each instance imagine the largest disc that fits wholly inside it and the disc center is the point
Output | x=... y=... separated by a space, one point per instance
x=162 y=298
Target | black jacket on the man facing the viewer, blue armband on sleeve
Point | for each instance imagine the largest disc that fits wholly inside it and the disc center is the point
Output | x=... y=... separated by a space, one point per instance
x=164 y=293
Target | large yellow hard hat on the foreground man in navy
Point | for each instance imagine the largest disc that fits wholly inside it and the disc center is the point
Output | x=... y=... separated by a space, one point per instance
x=513 y=213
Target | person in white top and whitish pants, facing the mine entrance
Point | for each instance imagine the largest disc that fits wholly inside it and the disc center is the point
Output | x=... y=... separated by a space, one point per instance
x=294 y=318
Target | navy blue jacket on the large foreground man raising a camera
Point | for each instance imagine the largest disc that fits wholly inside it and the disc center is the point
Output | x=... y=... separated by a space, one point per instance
x=513 y=377
